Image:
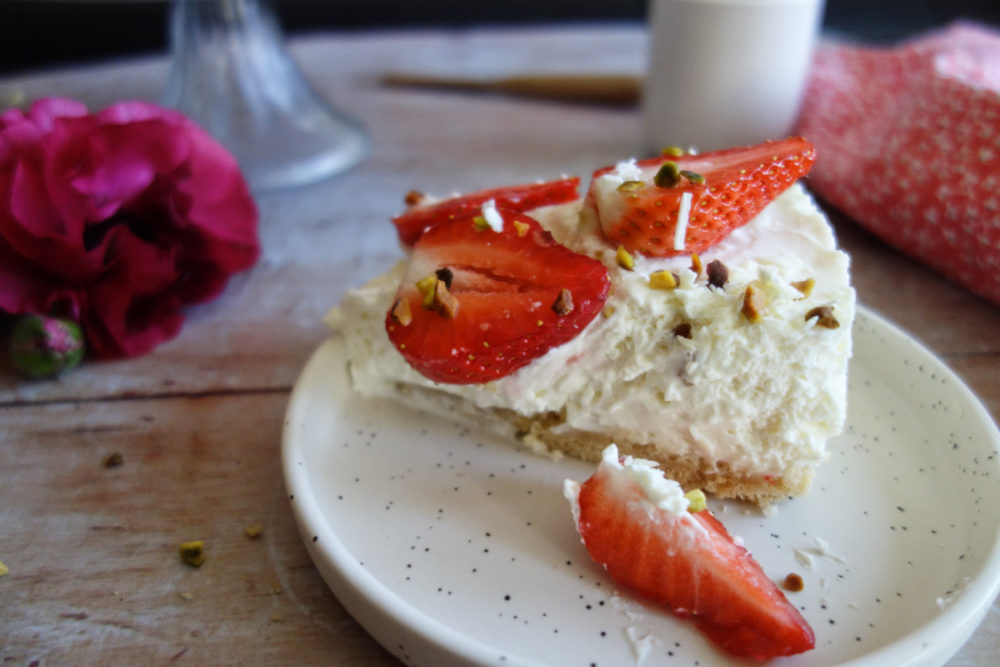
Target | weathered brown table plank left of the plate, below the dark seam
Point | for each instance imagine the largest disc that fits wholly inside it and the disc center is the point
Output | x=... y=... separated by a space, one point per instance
x=93 y=551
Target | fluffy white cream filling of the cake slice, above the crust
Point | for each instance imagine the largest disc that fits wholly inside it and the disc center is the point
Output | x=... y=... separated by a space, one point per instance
x=757 y=398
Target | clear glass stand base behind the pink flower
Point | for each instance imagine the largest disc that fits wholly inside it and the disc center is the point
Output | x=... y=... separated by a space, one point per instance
x=232 y=74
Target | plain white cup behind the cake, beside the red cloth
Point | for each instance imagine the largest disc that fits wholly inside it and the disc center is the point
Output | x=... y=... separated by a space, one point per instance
x=725 y=73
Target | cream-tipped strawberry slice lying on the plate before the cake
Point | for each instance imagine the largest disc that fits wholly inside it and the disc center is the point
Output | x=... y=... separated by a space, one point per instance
x=630 y=522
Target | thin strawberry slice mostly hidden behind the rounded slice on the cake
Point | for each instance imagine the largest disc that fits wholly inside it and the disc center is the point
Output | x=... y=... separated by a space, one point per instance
x=411 y=224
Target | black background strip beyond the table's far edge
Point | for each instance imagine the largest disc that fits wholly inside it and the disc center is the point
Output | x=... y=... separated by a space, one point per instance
x=37 y=34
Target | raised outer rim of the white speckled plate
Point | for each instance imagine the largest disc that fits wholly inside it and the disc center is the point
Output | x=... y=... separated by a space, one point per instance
x=372 y=603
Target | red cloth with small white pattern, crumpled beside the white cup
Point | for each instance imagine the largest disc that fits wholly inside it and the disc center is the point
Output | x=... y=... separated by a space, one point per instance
x=908 y=145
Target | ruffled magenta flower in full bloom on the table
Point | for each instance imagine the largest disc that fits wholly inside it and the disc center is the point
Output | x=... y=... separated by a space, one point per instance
x=117 y=220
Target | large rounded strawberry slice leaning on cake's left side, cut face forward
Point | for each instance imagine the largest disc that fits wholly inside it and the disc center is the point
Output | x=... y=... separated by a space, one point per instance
x=475 y=304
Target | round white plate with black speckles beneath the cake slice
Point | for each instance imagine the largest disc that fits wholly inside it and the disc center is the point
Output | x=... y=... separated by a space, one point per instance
x=452 y=547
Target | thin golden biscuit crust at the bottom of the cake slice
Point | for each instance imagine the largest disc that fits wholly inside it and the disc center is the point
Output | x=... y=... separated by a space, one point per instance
x=539 y=432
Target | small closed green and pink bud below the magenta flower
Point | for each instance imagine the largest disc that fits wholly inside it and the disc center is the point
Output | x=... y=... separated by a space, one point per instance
x=43 y=347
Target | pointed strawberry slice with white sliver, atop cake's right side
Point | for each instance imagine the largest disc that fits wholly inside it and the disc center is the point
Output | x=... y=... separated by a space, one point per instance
x=641 y=204
